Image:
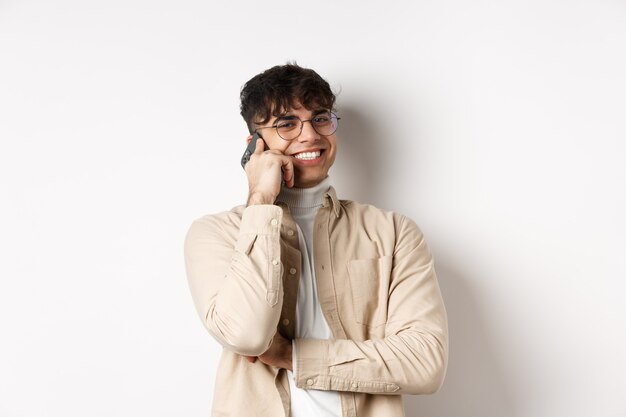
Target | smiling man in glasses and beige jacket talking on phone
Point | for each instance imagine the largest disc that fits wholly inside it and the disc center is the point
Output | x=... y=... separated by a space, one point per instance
x=324 y=307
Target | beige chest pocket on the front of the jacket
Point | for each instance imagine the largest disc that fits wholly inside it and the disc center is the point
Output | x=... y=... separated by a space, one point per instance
x=369 y=286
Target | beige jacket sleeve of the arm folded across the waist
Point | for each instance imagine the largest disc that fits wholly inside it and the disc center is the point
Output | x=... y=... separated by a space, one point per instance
x=412 y=356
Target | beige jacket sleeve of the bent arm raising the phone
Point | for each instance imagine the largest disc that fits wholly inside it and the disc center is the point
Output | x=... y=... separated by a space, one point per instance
x=235 y=277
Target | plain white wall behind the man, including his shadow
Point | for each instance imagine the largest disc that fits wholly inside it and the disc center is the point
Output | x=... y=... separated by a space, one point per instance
x=497 y=126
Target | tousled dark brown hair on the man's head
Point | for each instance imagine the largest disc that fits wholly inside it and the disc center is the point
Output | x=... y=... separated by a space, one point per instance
x=276 y=90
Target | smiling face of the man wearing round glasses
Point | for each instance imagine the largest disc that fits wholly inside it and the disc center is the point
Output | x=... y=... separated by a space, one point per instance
x=312 y=154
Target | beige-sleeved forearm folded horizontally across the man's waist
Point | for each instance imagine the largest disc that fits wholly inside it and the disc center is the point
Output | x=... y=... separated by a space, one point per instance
x=410 y=362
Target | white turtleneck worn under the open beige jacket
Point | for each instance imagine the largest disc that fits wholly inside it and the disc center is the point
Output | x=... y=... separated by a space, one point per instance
x=303 y=204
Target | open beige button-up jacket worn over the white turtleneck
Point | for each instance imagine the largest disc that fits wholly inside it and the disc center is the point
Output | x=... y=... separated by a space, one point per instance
x=377 y=289
